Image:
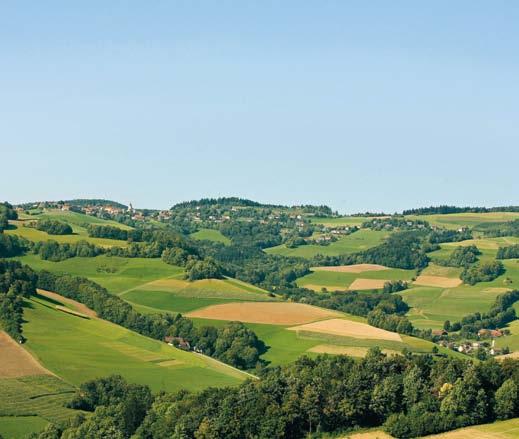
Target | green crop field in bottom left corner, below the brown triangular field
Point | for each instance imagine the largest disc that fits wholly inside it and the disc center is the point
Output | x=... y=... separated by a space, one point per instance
x=29 y=403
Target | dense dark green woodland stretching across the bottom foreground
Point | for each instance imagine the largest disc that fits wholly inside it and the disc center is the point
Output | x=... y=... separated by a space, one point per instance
x=410 y=396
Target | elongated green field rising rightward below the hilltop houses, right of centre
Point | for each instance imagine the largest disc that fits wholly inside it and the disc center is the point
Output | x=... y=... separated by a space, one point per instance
x=361 y=240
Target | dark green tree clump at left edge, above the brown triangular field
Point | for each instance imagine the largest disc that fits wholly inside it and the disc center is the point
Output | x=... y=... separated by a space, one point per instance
x=16 y=282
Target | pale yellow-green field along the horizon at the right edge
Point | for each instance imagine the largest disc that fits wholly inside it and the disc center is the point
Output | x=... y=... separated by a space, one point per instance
x=457 y=220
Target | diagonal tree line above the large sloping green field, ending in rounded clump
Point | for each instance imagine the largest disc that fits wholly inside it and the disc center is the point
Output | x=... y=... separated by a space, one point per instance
x=238 y=346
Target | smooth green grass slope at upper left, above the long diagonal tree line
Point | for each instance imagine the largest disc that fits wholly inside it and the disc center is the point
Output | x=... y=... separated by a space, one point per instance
x=114 y=273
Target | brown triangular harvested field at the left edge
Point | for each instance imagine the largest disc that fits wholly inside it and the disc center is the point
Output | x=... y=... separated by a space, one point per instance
x=15 y=361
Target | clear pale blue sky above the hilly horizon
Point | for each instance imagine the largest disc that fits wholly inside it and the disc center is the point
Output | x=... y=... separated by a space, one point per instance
x=360 y=105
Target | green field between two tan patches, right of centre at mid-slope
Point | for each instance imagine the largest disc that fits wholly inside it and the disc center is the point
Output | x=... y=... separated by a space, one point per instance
x=337 y=280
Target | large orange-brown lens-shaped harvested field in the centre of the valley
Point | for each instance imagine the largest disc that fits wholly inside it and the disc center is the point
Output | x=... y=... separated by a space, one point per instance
x=274 y=313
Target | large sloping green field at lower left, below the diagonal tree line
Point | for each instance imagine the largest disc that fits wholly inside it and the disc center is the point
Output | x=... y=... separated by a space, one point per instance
x=78 y=350
